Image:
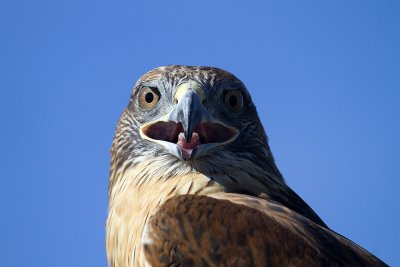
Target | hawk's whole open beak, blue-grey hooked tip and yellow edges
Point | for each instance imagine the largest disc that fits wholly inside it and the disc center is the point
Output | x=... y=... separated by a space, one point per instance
x=188 y=131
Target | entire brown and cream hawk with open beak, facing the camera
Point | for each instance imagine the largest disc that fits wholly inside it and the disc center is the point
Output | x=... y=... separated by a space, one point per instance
x=193 y=183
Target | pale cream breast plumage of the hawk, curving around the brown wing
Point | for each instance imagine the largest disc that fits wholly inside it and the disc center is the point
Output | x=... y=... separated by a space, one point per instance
x=134 y=200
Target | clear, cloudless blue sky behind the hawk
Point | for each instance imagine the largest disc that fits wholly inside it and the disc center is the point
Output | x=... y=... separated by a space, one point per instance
x=325 y=78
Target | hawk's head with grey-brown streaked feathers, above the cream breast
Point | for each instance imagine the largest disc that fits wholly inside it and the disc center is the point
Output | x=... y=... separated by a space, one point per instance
x=189 y=119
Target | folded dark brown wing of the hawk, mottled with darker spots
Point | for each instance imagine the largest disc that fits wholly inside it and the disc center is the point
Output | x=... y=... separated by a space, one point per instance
x=239 y=230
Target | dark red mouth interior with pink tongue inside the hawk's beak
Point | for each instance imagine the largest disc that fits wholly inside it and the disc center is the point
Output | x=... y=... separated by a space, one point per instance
x=204 y=133
